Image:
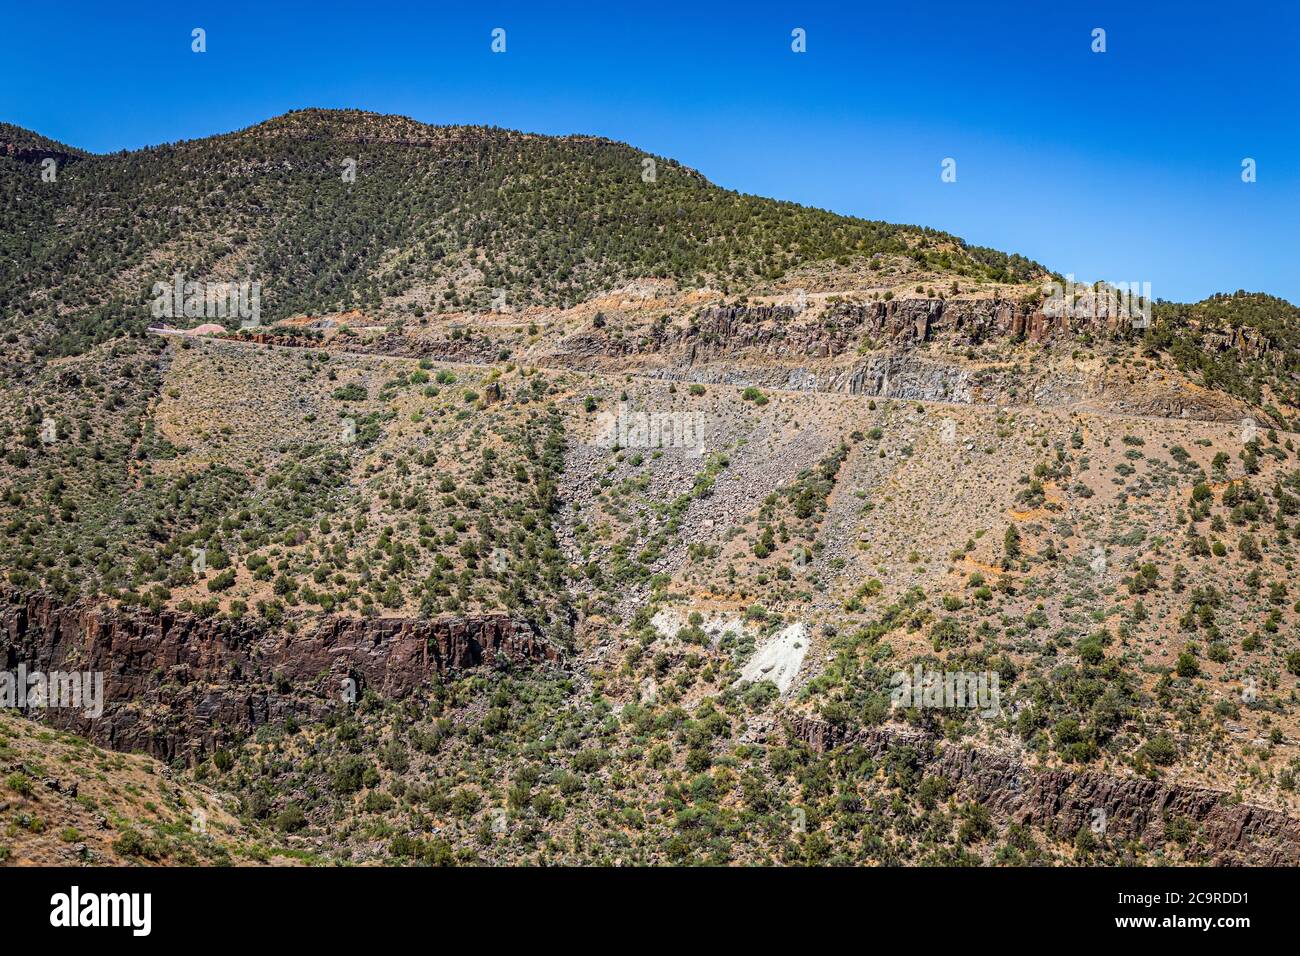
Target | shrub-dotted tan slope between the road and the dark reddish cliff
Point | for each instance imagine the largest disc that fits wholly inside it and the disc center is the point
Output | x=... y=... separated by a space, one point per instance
x=239 y=481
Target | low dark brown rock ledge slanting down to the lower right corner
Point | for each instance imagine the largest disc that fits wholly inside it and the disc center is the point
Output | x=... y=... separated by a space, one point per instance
x=1065 y=802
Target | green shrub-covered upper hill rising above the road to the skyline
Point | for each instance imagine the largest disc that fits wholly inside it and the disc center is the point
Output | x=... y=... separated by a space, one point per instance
x=436 y=217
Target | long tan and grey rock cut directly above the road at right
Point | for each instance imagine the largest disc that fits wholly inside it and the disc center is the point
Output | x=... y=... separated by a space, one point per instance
x=903 y=349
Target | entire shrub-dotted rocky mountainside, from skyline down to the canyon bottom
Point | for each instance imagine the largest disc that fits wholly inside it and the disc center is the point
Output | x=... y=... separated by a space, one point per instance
x=552 y=514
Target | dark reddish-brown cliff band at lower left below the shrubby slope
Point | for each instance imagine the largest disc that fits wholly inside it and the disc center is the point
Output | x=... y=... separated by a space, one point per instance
x=177 y=686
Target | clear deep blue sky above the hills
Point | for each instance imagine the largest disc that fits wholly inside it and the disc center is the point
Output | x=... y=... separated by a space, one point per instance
x=1123 y=166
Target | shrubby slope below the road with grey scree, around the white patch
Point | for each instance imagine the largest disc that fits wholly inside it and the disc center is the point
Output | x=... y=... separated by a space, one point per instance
x=1126 y=581
